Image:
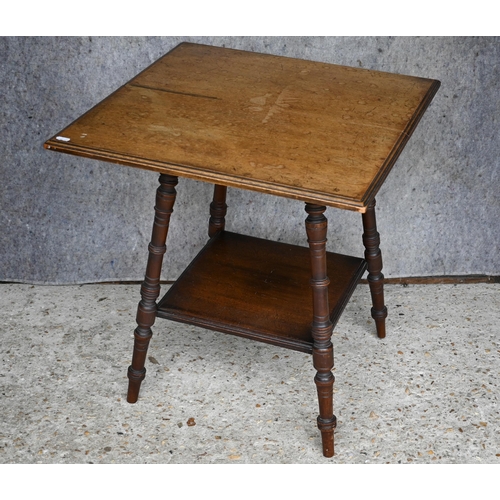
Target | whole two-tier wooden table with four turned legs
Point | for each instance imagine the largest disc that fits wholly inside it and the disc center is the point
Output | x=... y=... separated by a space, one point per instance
x=323 y=134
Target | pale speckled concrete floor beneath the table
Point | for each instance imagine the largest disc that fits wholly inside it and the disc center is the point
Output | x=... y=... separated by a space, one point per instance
x=428 y=393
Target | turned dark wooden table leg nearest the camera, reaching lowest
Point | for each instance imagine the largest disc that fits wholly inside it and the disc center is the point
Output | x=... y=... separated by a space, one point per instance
x=316 y=228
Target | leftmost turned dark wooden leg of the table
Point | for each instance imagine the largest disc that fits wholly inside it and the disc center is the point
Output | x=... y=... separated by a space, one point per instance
x=150 y=289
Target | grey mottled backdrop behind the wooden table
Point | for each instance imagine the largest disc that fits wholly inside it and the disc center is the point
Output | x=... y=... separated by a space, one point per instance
x=69 y=220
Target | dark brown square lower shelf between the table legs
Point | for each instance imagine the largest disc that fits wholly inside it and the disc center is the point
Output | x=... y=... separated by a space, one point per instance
x=258 y=289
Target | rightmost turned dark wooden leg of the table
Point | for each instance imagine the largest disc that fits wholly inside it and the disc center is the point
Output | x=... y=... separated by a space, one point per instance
x=373 y=256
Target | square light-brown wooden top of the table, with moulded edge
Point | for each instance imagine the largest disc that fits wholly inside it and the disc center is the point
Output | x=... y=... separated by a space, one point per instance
x=311 y=131
